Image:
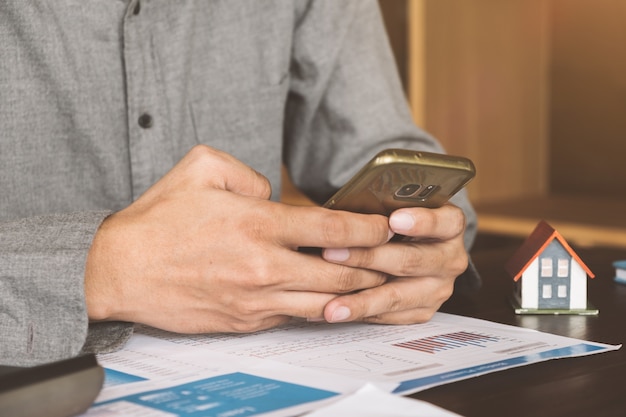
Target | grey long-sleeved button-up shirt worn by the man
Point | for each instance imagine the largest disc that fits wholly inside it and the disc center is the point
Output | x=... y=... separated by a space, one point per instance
x=100 y=98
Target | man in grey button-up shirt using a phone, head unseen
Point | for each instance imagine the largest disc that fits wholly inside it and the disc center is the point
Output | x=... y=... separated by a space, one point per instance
x=140 y=153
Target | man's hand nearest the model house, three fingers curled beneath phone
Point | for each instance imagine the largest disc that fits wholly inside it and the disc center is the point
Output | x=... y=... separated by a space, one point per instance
x=423 y=269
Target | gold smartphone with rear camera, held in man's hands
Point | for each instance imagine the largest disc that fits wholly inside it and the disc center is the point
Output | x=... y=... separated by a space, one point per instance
x=397 y=178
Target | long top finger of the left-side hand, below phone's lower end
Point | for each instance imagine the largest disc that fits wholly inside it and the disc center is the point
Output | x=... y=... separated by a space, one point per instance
x=323 y=228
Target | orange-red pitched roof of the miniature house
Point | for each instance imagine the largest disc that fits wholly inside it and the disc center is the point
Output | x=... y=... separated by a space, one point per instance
x=538 y=240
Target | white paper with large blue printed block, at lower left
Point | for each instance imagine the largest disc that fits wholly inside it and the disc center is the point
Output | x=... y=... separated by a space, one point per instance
x=151 y=377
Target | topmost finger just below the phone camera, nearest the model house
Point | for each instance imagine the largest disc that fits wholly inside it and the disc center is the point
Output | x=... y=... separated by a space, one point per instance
x=441 y=223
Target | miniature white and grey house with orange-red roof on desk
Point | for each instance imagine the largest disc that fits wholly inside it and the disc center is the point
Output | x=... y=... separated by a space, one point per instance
x=550 y=278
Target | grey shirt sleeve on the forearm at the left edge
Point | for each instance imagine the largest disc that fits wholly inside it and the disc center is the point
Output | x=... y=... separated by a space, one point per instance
x=43 y=316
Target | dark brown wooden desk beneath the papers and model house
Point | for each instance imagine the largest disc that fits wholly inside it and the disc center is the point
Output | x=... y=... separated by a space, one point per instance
x=589 y=386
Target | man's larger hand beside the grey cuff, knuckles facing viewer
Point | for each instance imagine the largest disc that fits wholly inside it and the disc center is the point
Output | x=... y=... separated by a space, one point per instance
x=203 y=250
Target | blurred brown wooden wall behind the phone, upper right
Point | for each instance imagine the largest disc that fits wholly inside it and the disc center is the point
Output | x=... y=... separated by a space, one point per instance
x=533 y=90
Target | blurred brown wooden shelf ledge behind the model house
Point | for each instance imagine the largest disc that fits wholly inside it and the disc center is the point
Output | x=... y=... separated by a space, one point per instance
x=582 y=220
